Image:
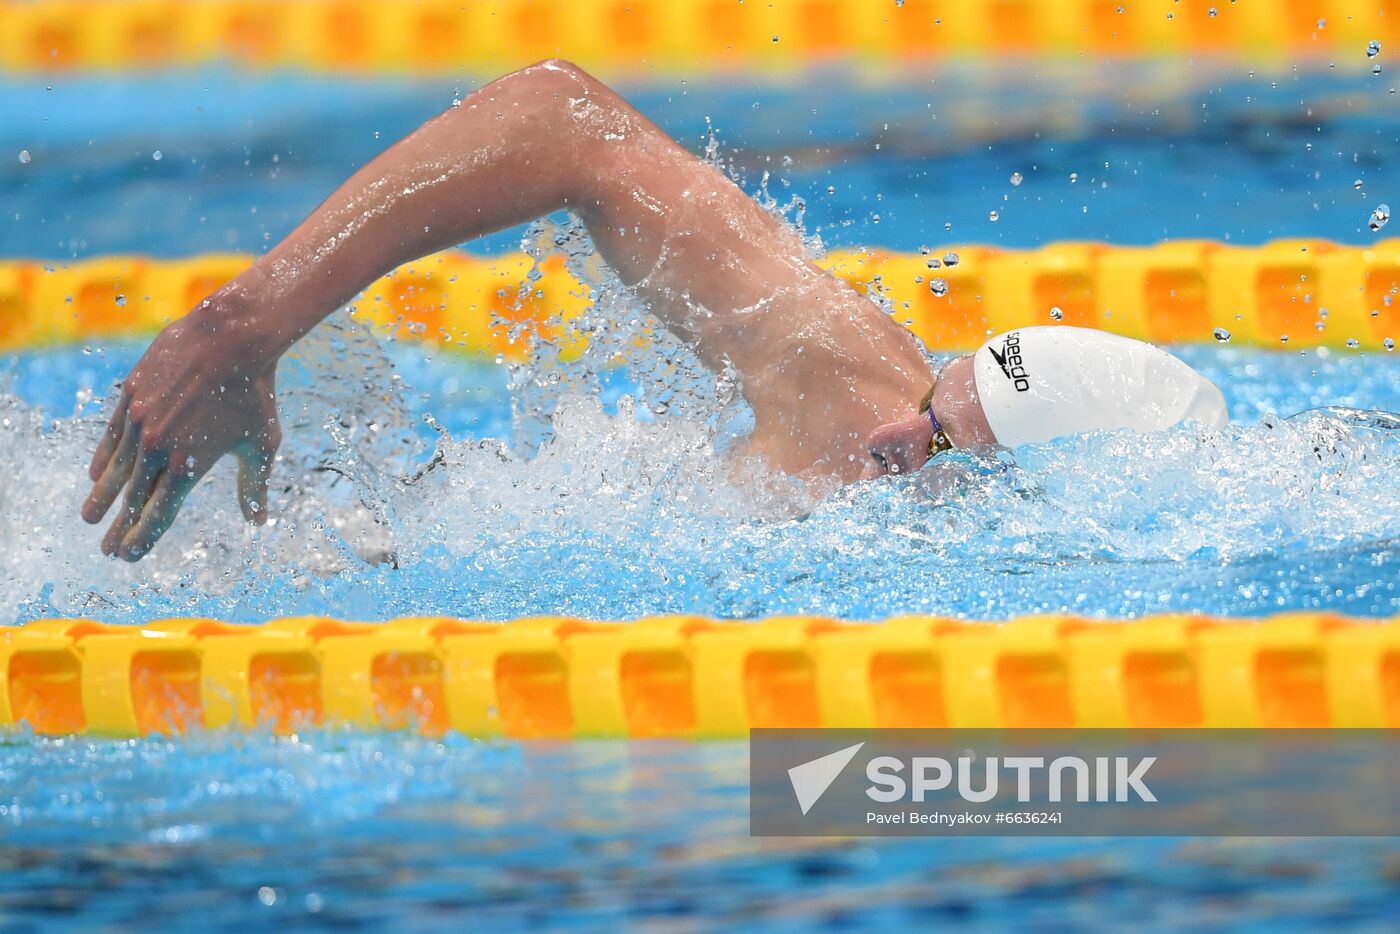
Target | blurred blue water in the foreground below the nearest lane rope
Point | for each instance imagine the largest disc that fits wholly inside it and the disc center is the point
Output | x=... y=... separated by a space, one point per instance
x=386 y=832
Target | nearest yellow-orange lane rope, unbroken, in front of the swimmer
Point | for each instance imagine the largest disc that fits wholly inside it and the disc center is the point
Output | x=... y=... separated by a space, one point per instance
x=698 y=678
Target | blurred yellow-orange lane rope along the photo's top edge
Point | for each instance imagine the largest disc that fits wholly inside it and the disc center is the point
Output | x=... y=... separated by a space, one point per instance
x=647 y=36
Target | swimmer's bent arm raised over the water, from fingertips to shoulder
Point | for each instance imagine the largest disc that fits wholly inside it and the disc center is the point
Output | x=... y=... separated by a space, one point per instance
x=535 y=142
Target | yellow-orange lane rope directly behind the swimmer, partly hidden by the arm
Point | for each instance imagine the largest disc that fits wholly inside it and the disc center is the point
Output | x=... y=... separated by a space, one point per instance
x=1286 y=295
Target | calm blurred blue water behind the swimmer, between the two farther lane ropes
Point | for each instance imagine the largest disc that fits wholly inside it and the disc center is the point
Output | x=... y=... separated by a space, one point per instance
x=1130 y=153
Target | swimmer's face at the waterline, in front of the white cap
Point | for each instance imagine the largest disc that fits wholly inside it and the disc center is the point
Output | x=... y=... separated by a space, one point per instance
x=904 y=447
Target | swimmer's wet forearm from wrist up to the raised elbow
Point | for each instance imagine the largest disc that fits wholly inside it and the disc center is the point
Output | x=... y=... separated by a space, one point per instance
x=500 y=159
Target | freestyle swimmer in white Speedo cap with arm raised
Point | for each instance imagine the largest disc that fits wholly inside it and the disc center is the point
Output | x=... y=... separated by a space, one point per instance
x=839 y=390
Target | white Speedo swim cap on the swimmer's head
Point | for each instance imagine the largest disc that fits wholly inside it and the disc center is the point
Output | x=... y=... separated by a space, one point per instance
x=1044 y=383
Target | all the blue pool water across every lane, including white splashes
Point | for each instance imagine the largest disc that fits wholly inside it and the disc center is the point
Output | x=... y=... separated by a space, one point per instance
x=598 y=494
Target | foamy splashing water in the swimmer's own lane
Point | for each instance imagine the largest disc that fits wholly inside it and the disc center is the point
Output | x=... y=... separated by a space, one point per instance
x=608 y=487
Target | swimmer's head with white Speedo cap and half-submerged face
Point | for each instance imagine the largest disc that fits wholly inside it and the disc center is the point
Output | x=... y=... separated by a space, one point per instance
x=1037 y=384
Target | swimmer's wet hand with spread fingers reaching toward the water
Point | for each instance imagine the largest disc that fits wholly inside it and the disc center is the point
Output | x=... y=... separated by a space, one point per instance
x=198 y=394
